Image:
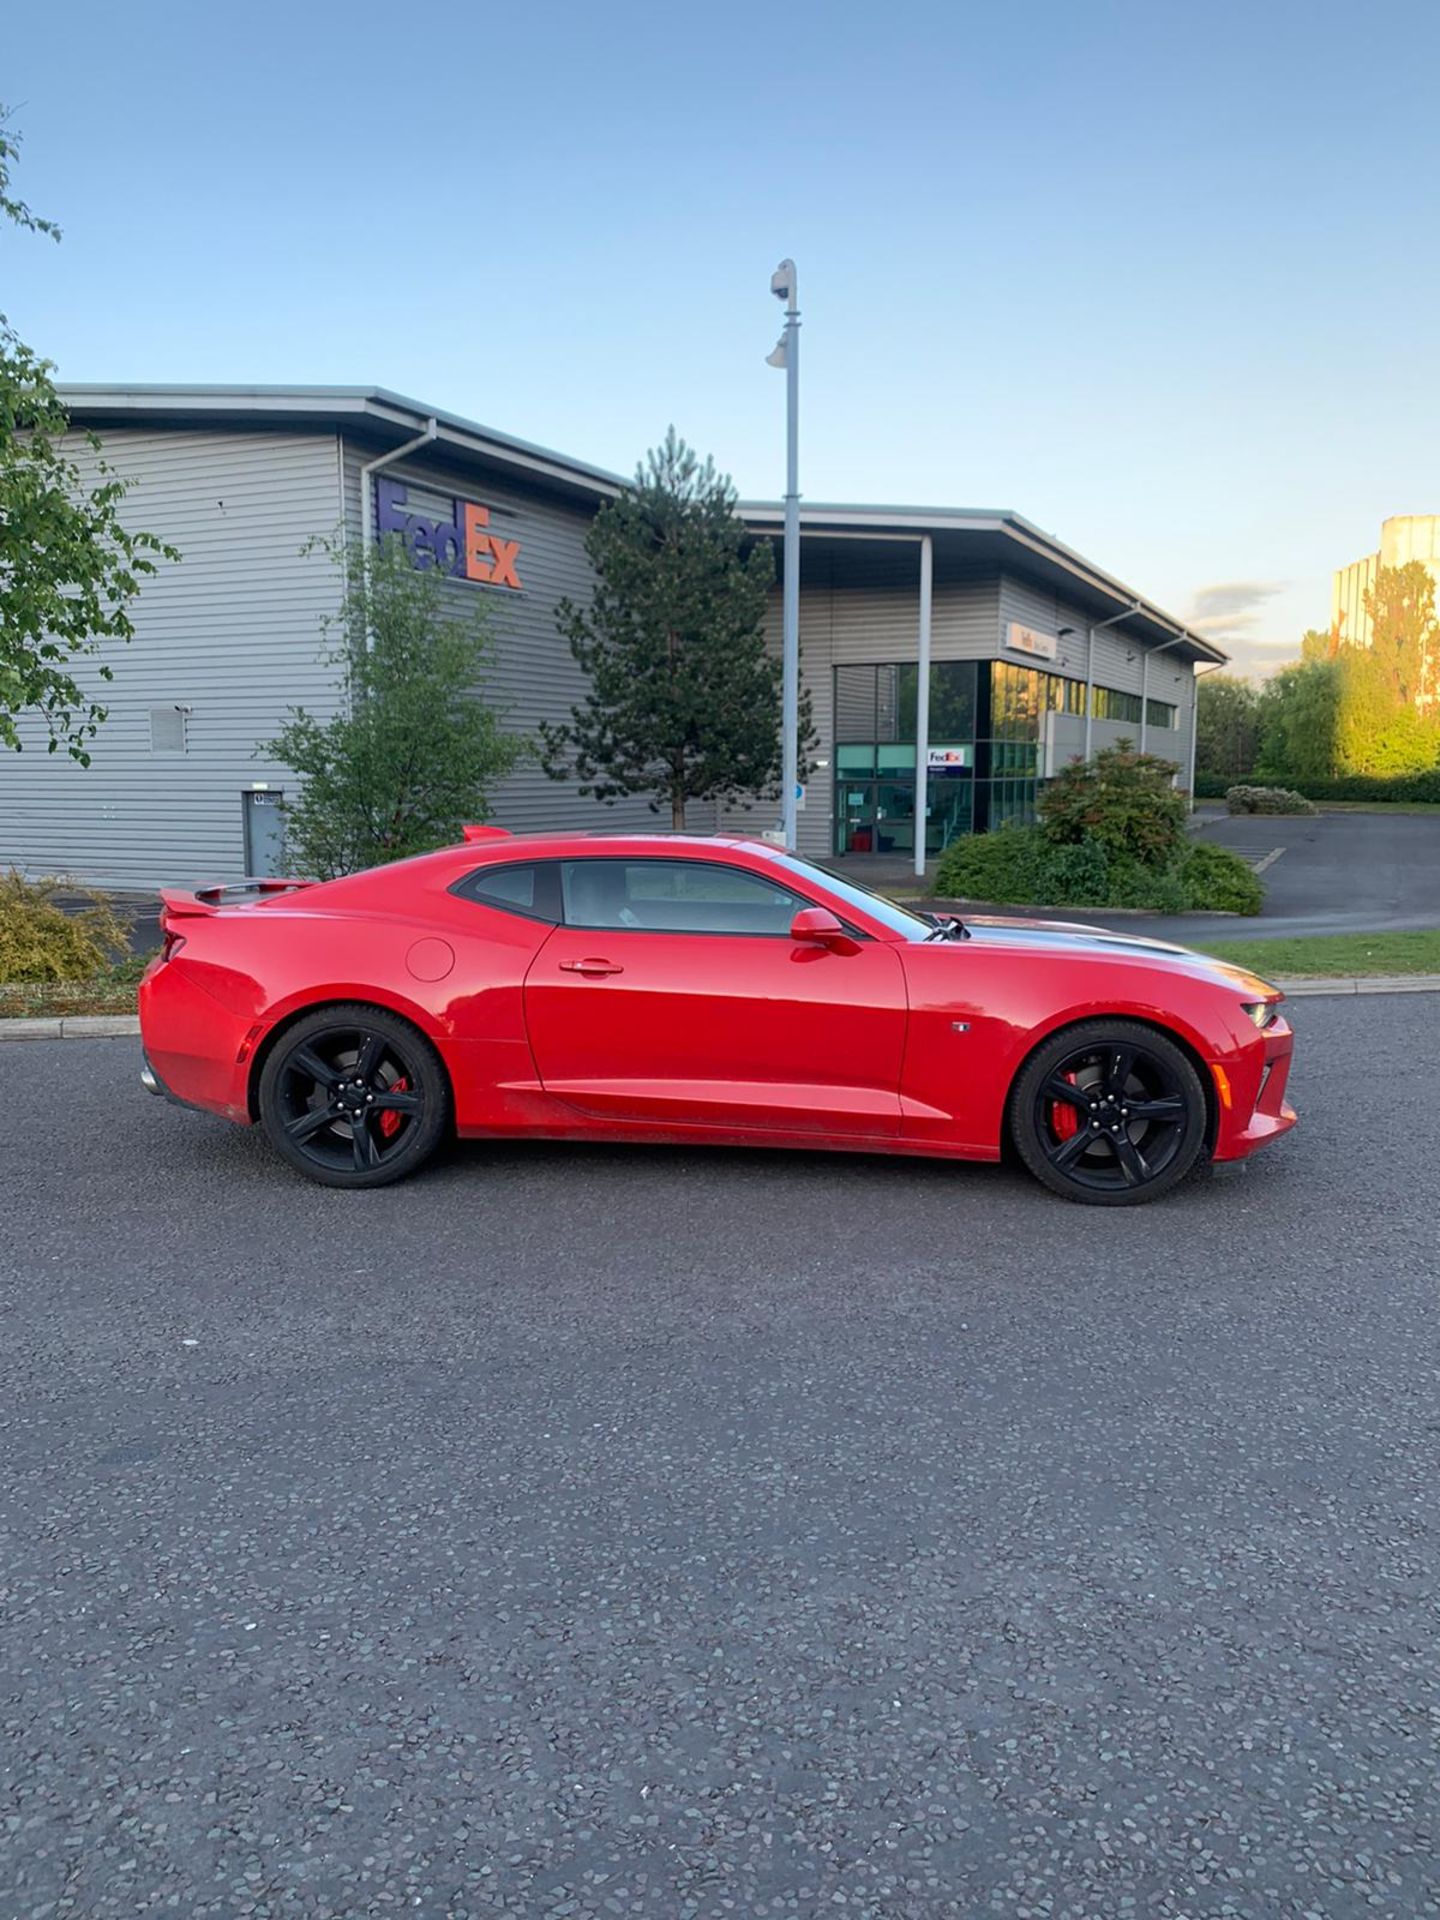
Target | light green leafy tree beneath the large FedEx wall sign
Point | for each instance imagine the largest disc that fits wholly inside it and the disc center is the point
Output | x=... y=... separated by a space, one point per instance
x=414 y=752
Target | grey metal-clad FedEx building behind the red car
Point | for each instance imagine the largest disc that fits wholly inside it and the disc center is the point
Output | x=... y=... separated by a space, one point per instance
x=1028 y=652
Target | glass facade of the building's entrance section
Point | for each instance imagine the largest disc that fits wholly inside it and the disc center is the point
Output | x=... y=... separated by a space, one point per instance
x=986 y=748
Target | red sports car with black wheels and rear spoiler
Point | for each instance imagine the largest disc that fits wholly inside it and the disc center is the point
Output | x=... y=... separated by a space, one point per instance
x=717 y=992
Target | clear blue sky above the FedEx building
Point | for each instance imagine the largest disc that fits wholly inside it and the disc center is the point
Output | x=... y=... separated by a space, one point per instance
x=1161 y=277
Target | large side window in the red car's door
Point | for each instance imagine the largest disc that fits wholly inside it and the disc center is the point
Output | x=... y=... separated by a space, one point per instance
x=675 y=898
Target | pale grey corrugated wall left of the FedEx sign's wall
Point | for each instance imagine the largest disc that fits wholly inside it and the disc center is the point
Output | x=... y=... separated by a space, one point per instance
x=233 y=635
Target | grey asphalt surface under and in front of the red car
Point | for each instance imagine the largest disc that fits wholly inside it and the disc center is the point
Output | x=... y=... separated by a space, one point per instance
x=692 y=1535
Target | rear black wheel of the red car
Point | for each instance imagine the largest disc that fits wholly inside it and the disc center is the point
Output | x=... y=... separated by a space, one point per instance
x=354 y=1097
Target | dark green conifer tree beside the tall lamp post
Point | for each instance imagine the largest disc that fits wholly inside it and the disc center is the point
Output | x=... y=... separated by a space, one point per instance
x=684 y=700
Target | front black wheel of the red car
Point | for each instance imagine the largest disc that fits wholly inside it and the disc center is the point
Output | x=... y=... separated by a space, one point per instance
x=1111 y=1115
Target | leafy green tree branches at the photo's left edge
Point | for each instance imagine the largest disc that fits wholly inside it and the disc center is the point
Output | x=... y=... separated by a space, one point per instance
x=68 y=564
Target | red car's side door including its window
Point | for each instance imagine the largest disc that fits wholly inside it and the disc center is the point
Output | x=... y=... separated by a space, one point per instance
x=673 y=994
